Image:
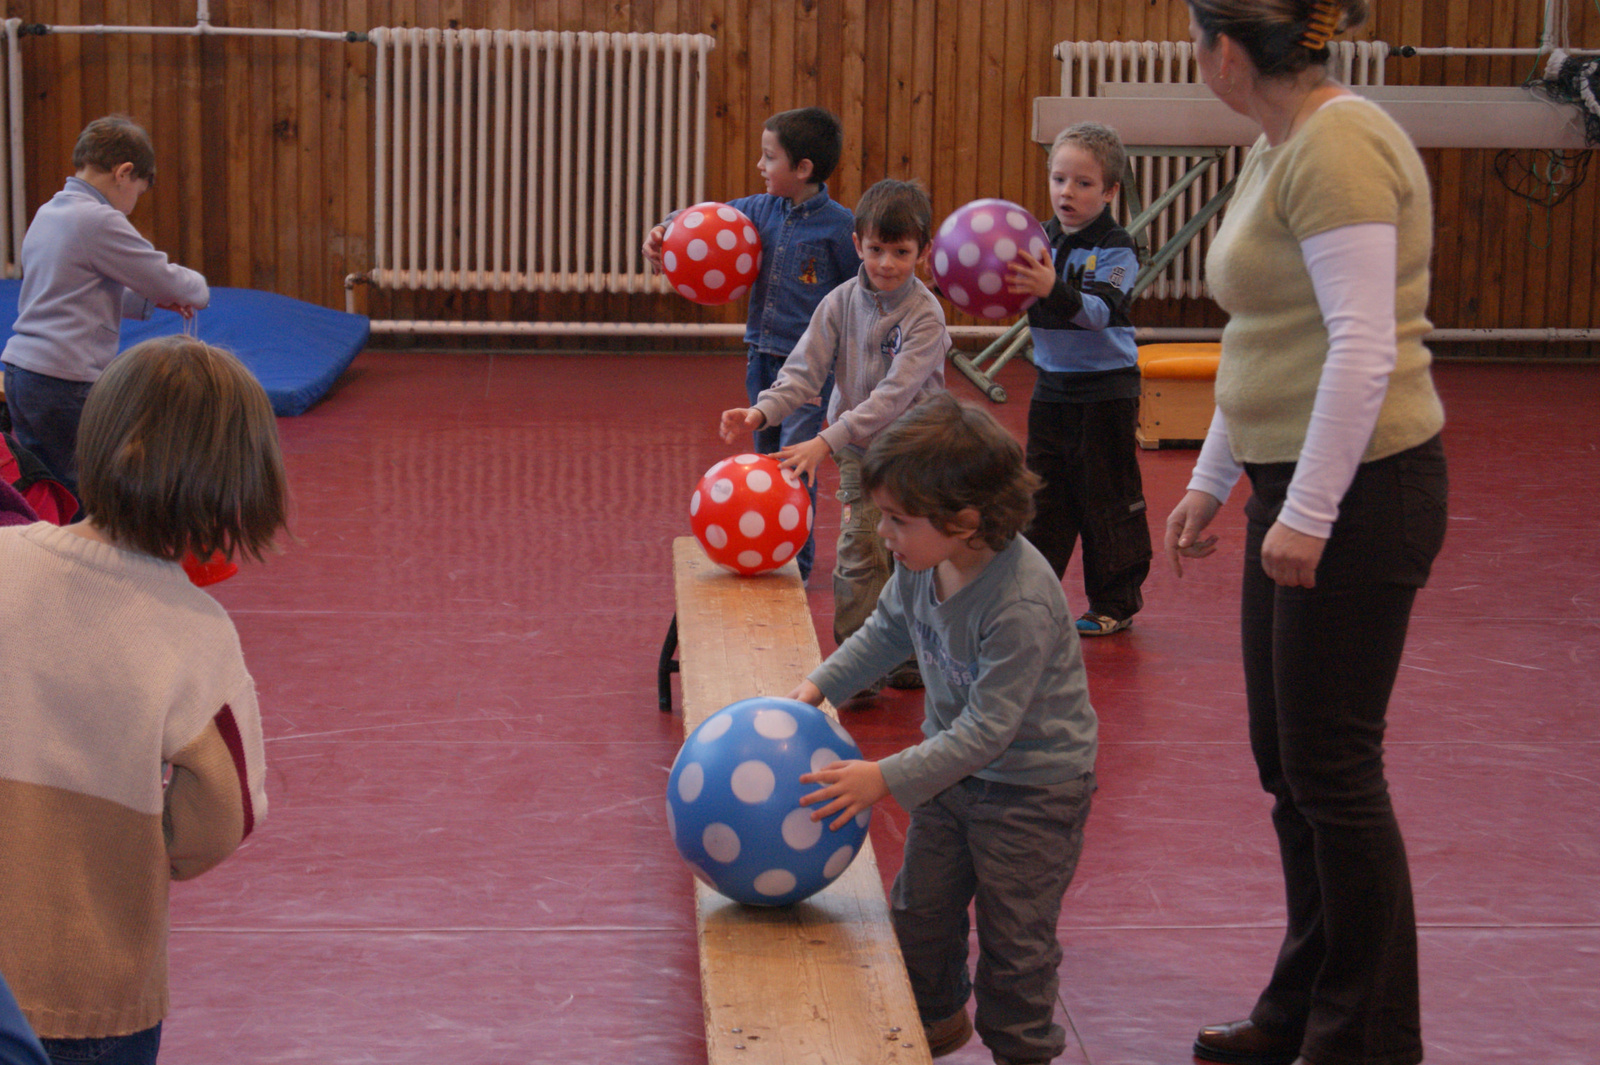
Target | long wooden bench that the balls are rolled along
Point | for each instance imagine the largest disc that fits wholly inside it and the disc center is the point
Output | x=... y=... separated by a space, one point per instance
x=820 y=983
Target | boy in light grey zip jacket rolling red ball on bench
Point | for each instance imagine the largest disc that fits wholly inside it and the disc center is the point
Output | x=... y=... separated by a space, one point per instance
x=882 y=337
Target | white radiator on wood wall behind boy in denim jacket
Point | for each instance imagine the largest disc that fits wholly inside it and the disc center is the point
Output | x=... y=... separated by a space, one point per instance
x=530 y=161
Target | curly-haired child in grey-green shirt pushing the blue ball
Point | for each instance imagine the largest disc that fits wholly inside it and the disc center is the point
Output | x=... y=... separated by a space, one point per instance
x=1001 y=788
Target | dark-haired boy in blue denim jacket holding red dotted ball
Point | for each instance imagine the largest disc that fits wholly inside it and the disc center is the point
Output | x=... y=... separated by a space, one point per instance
x=806 y=255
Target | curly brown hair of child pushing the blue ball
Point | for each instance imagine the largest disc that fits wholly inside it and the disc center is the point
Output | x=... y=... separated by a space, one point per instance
x=942 y=458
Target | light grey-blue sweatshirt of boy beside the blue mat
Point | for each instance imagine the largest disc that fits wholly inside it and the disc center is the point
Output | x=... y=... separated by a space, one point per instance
x=84 y=269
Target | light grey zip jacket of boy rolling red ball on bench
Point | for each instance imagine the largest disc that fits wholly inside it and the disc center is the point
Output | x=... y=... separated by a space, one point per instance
x=886 y=351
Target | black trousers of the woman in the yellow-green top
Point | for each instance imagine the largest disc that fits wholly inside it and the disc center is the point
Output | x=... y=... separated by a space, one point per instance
x=1319 y=669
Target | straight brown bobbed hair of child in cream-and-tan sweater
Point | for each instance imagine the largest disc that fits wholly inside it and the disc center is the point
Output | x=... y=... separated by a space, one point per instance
x=178 y=453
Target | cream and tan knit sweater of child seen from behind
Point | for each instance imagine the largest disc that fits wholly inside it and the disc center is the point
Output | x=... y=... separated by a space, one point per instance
x=111 y=663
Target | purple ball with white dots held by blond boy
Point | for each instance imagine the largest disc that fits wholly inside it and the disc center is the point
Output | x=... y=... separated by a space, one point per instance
x=974 y=249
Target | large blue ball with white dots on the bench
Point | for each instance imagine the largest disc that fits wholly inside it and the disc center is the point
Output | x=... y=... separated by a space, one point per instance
x=734 y=802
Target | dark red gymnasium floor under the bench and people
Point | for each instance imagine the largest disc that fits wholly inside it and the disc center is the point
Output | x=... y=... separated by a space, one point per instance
x=466 y=856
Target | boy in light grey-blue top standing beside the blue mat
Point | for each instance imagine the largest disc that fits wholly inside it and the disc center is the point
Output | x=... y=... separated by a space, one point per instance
x=84 y=268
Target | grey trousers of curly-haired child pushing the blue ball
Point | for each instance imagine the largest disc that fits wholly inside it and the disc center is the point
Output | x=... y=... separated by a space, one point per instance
x=1014 y=850
